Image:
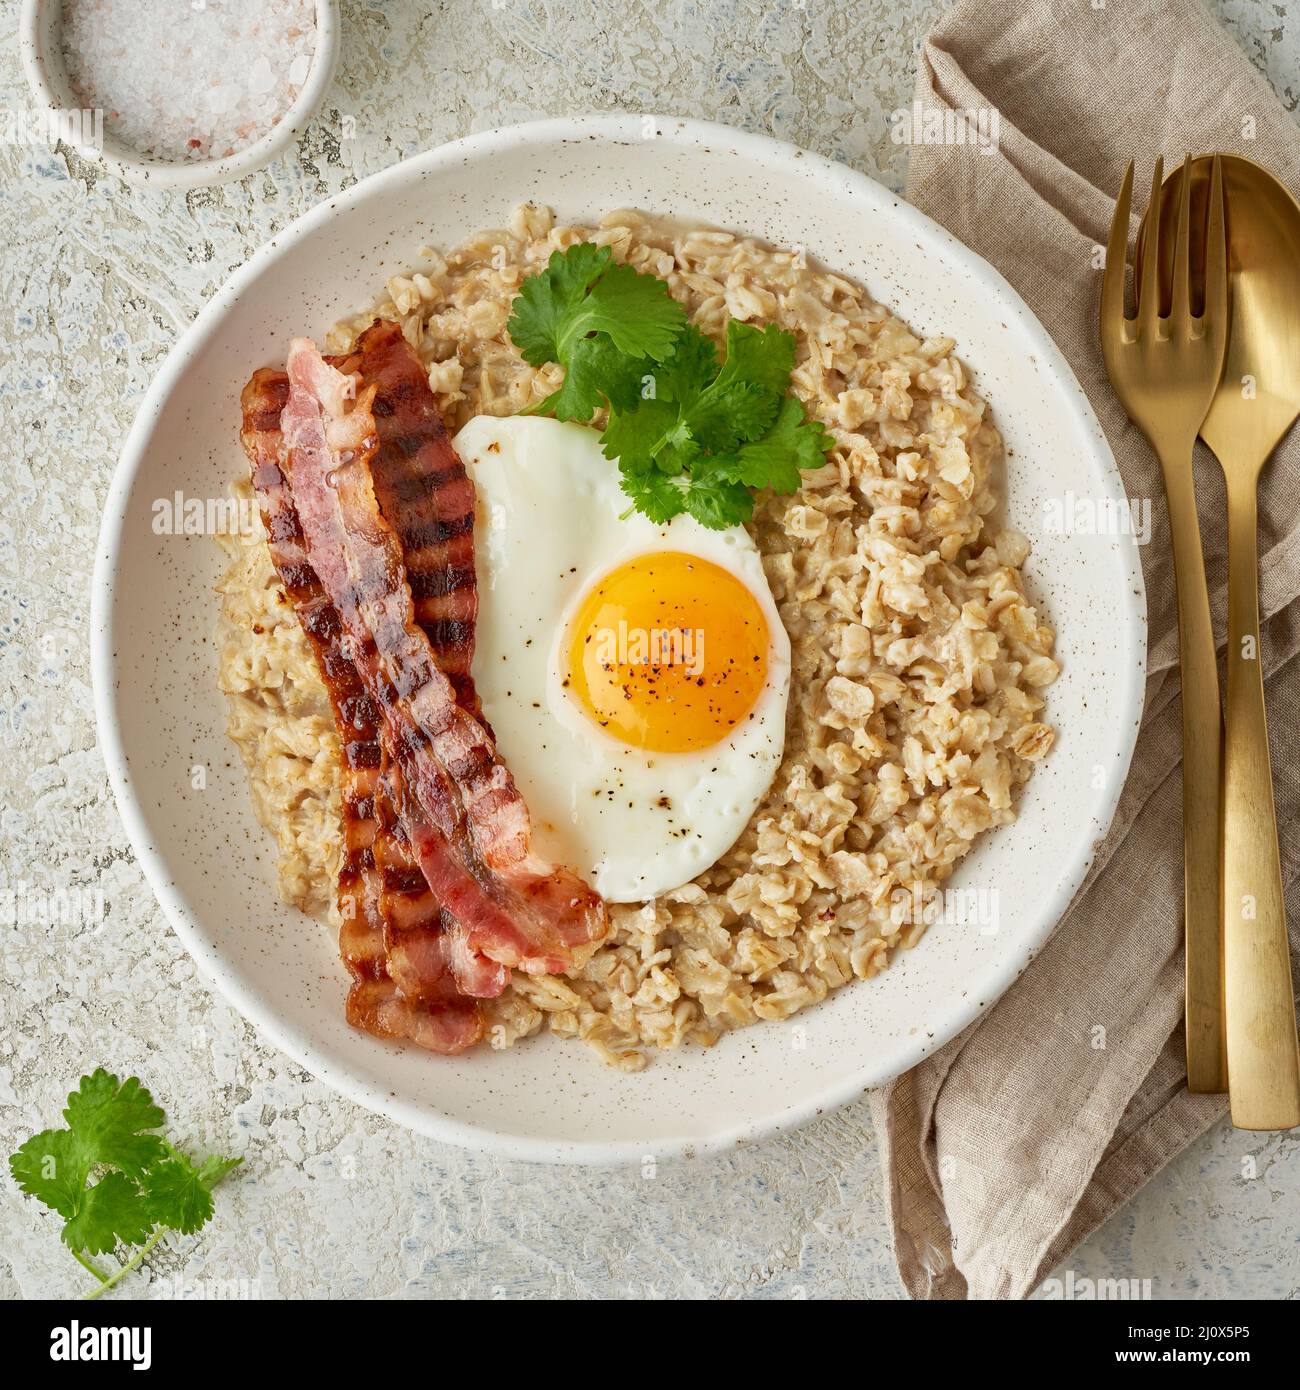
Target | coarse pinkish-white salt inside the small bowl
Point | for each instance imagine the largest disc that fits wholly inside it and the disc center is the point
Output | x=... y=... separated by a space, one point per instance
x=188 y=80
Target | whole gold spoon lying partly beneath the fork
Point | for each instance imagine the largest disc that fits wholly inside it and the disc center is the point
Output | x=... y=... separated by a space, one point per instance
x=1256 y=405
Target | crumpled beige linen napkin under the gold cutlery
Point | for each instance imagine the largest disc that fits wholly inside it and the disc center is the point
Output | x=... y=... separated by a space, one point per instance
x=1014 y=1142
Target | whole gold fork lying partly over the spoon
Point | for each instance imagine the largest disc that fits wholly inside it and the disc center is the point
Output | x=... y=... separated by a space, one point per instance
x=1166 y=370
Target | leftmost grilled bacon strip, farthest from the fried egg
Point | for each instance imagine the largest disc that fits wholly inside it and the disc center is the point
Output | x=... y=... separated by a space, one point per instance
x=389 y=996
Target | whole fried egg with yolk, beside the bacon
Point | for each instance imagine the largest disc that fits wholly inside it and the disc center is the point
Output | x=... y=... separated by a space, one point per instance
x=635 y=675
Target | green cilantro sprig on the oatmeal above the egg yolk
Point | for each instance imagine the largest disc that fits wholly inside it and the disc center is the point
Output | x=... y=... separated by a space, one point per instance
x=690 y=434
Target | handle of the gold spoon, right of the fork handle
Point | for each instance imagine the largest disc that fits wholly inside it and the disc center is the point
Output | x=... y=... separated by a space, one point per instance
x=1263 y=1056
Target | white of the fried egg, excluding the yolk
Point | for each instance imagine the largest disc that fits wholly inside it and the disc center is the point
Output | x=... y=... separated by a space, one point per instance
x=549 y=528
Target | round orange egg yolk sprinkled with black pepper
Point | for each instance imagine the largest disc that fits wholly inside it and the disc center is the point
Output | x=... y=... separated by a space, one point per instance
x=668 y=653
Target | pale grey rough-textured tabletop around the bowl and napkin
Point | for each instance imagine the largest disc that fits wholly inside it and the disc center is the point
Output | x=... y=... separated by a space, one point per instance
x=98 y=283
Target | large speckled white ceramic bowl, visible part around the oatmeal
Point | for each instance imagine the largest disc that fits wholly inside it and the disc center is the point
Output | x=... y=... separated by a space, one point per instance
x=159 y=712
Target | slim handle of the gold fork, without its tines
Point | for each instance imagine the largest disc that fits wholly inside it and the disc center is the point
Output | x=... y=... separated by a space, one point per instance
x=1203 y=950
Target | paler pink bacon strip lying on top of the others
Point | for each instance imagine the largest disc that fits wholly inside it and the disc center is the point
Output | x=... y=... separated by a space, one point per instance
x=465 y=819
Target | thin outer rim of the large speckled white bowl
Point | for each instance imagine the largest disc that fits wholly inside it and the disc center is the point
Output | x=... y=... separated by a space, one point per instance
x=624 y=131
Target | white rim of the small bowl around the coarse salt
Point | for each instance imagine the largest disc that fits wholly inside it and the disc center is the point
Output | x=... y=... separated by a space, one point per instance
x=40 y=37
